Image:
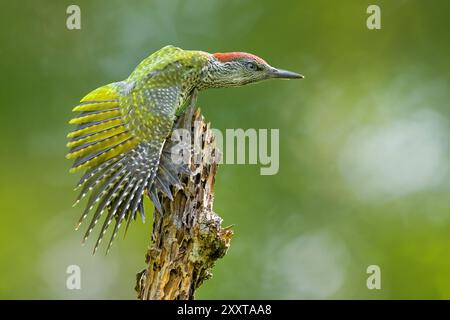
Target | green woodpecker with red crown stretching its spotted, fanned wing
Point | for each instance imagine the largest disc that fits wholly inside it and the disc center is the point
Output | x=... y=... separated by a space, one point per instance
x=121 y=128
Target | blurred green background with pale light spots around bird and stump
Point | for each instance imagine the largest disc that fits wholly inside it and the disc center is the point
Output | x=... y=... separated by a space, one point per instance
x=364 y=149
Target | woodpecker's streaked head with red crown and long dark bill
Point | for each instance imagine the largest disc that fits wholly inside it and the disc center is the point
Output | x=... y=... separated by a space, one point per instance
x=239 y=68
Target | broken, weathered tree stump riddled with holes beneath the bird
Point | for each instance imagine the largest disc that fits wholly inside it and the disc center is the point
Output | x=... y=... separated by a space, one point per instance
x=187 y=238
